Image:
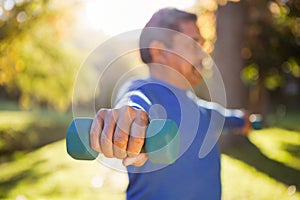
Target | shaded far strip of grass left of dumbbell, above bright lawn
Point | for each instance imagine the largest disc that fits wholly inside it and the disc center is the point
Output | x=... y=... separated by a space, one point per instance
x=29 y=129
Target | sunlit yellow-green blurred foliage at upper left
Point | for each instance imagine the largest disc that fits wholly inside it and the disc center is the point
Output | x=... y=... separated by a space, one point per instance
x=37 y=64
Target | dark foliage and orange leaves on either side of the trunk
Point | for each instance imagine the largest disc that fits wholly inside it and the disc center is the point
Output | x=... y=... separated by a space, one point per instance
x=270 y=48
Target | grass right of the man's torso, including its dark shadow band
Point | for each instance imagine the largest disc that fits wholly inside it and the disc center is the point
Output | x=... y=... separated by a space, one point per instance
x=265 y=166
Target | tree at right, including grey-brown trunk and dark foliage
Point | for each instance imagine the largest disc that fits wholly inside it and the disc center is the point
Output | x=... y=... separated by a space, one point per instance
x=257 y=41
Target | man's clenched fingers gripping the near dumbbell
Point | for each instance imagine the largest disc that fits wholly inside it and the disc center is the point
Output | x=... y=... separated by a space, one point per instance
x=120 y=133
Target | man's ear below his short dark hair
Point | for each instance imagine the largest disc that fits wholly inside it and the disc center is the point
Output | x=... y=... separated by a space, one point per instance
x=157 y=51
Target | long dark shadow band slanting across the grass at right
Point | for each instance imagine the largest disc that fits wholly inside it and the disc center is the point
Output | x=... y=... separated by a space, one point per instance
x=241 y=148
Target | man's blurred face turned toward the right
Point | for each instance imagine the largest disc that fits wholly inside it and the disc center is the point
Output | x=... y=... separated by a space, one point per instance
x=186 y=53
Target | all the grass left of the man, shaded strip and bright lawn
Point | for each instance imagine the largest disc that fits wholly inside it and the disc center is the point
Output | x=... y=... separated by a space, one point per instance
x=29 y=172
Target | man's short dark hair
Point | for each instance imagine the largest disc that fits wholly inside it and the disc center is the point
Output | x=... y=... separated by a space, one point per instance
x=166 y=18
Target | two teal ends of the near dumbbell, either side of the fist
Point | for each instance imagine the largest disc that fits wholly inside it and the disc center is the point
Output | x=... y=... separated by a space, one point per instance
x=161 y=144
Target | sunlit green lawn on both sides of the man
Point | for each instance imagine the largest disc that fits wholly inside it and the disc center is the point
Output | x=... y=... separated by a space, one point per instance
x=264 y=166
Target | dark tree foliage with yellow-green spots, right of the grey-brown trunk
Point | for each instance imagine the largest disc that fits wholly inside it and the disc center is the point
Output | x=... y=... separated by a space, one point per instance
x=271 y=51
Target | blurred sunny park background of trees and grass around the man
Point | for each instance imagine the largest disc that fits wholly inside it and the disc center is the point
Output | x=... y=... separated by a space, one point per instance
x=43 y=44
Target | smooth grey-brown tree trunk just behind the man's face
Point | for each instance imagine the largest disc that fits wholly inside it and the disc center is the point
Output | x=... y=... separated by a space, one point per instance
x=227 y=54
